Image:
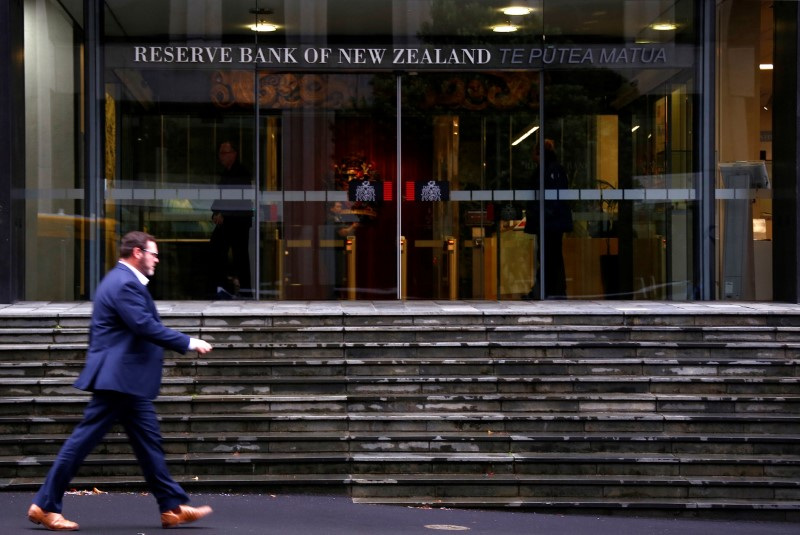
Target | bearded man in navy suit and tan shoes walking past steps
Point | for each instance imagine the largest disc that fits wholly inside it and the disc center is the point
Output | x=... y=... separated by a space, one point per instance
x=123 y=372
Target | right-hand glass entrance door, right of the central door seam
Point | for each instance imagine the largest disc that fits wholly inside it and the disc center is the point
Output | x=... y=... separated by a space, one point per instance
x=467 y=164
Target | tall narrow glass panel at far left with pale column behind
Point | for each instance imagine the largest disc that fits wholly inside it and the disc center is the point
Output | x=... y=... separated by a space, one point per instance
x=54 y=182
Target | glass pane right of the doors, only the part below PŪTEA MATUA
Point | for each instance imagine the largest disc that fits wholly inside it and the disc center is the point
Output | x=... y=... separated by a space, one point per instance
x=626 y=161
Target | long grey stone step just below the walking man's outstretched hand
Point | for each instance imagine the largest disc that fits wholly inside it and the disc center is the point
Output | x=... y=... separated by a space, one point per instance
x=706 y=369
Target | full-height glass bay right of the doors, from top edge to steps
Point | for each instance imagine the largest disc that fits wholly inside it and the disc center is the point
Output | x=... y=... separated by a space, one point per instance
x=619 y=150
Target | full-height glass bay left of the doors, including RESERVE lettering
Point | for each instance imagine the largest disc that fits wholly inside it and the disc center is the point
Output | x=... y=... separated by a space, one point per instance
x=180 y=144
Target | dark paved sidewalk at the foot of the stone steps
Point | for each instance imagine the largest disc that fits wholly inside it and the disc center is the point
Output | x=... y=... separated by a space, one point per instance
x=265 y=514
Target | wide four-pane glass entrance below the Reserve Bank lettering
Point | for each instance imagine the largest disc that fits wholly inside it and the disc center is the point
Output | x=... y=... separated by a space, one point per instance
x=424 y=186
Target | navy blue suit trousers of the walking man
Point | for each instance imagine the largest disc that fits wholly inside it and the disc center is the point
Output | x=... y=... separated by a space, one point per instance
x=138 y=417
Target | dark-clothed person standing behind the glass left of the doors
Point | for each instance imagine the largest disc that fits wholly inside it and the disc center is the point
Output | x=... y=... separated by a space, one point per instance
x=230 y=240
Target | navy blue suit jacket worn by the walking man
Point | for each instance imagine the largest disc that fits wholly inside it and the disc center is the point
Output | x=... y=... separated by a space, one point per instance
x=127 y=338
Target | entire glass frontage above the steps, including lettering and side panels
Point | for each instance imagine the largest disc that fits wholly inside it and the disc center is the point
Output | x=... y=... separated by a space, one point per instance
x=355 y=149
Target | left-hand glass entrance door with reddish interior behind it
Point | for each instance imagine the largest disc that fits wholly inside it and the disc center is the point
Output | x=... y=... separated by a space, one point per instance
x=326 y=181
